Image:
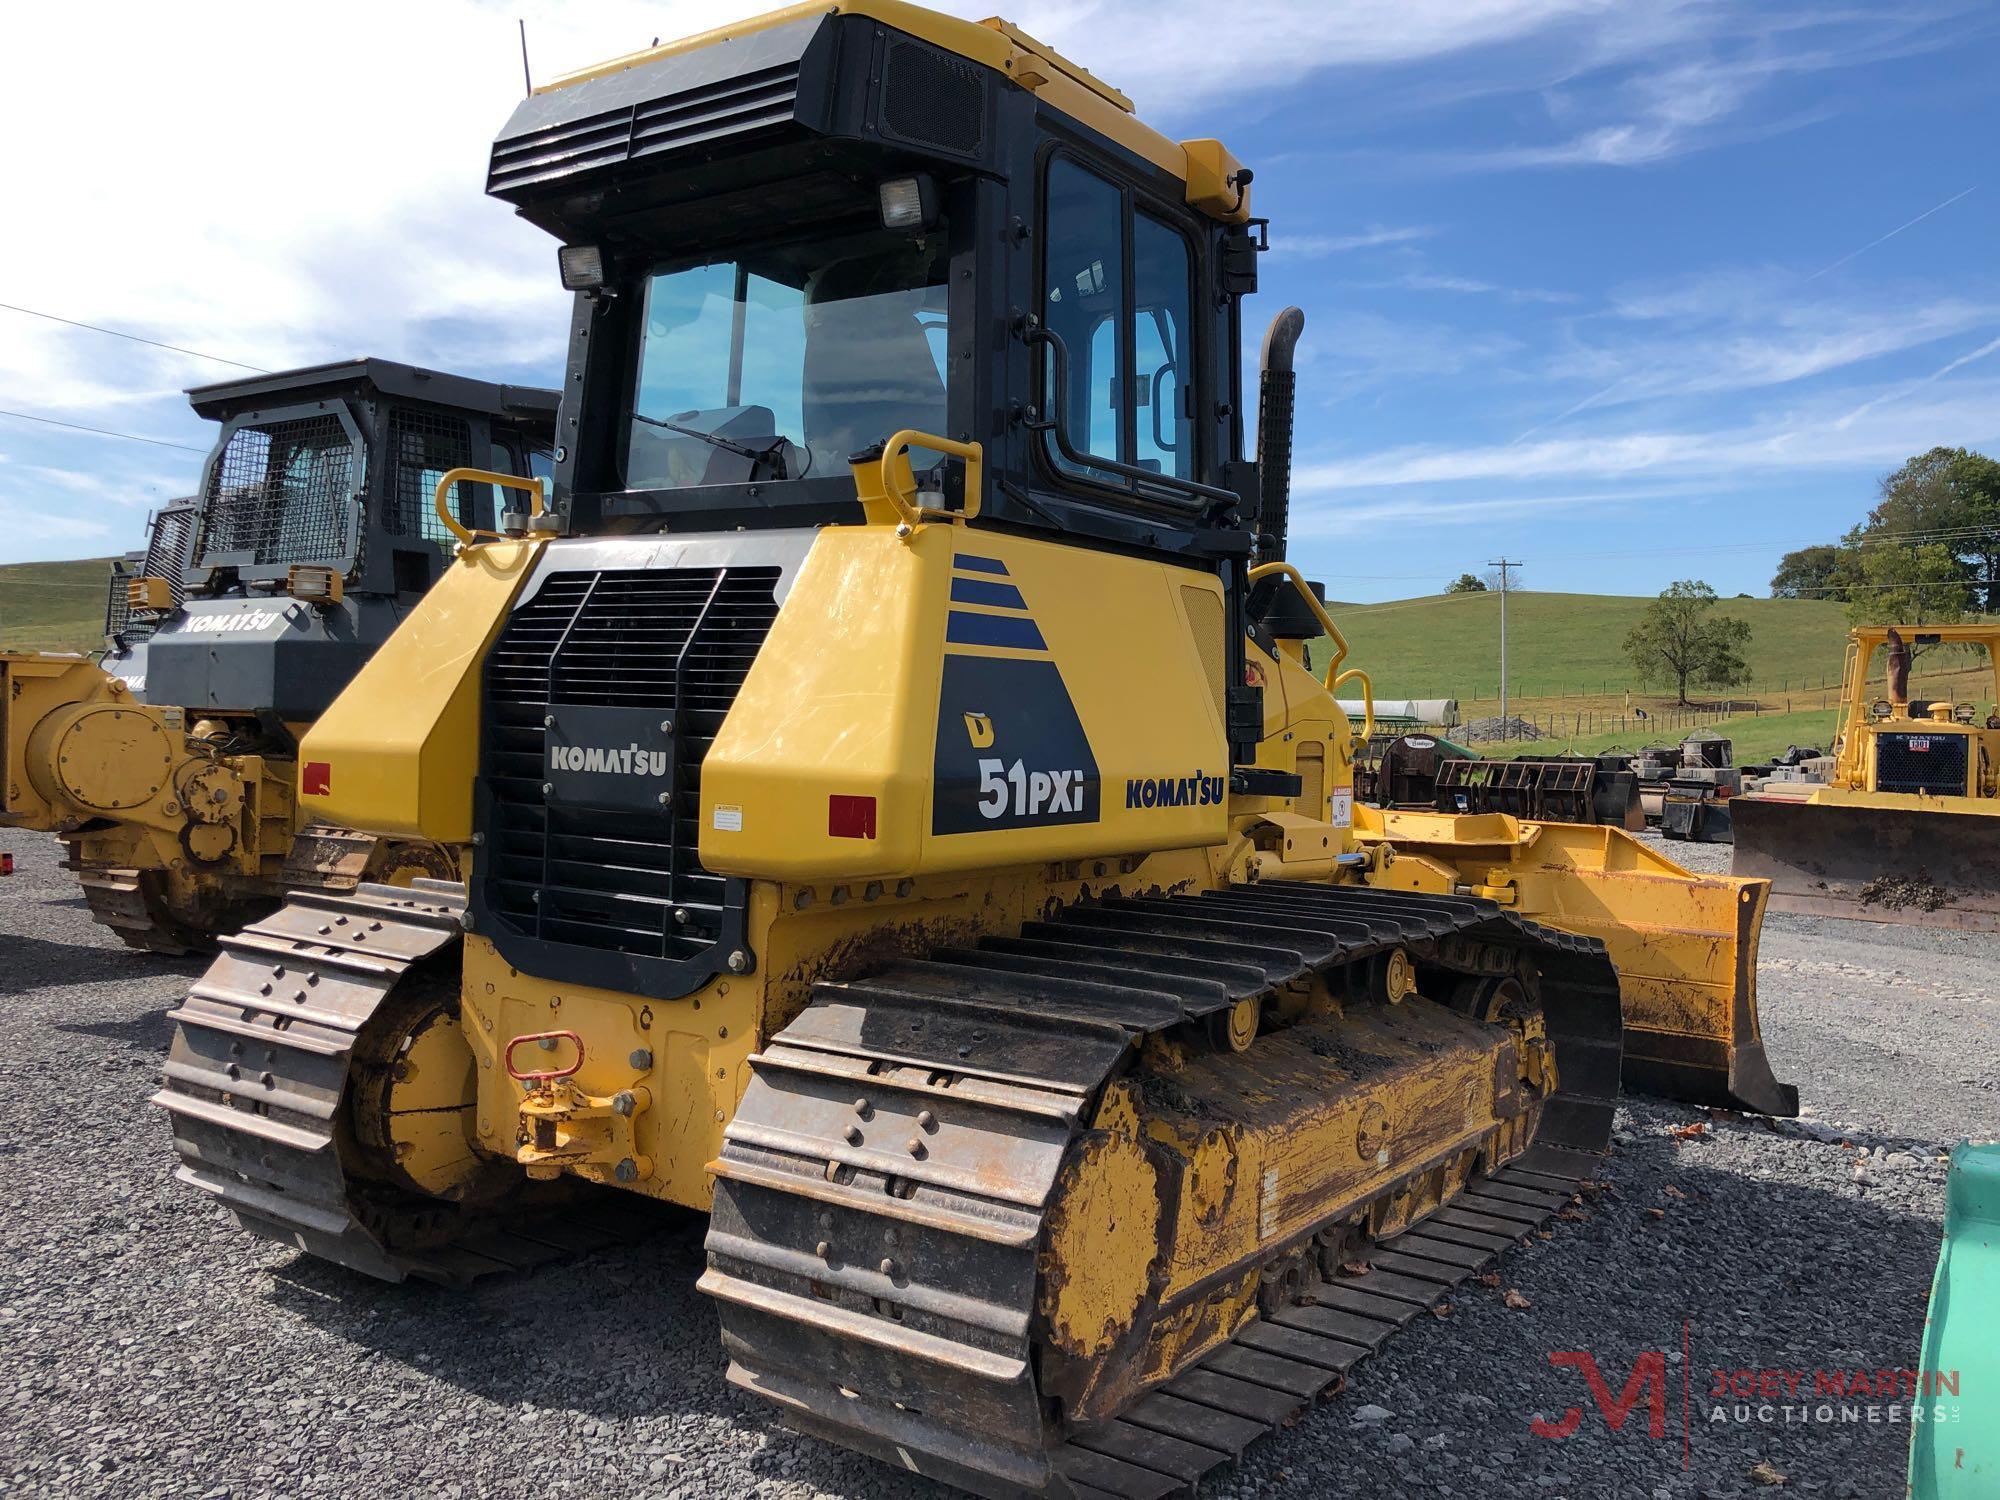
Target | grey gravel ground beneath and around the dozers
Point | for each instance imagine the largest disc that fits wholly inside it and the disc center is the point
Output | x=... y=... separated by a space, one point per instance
x=159 y=1351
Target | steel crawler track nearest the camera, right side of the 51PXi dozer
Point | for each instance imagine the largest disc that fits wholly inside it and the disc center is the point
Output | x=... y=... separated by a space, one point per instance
x=919 y=1349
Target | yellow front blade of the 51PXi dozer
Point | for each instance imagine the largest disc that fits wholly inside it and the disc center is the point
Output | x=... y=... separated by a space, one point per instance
x=1685 y=945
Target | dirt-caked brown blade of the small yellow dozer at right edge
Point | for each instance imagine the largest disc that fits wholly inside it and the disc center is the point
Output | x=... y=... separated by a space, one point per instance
x=1873 y=863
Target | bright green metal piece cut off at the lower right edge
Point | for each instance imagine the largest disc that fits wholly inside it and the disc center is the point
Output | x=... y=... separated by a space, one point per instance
x=1955 y=1457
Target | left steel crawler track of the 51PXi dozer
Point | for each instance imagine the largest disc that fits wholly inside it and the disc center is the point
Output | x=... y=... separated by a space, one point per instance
x=257 y=1077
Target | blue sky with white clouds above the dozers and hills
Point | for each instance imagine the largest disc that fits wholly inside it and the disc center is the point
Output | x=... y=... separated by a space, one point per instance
x=1633 y=293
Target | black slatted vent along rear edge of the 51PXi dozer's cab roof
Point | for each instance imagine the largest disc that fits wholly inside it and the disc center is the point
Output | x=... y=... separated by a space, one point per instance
x=687 y=119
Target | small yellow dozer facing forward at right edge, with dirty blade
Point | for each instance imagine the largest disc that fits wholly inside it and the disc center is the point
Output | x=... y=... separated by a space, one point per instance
x=1907 y=829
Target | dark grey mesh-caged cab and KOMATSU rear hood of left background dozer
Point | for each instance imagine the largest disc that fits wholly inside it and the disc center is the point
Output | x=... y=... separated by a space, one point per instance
x=313 y=531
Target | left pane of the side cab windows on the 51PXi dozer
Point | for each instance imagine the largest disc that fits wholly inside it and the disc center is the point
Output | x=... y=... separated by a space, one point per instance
x=1085 y=305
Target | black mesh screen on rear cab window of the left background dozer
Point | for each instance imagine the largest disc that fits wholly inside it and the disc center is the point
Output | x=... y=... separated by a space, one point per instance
x=283 y=493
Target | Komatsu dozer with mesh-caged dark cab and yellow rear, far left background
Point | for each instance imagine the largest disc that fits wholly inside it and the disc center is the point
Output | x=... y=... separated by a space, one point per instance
x=169 y=767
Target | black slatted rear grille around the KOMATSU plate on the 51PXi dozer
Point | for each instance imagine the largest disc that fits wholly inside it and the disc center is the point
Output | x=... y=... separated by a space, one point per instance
x=613 y=881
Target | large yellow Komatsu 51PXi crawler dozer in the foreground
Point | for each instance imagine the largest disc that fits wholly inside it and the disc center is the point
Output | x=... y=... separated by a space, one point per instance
x=901 y=819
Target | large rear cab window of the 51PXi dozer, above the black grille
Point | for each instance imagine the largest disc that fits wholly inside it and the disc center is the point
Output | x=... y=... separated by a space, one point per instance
x=785 y=363
